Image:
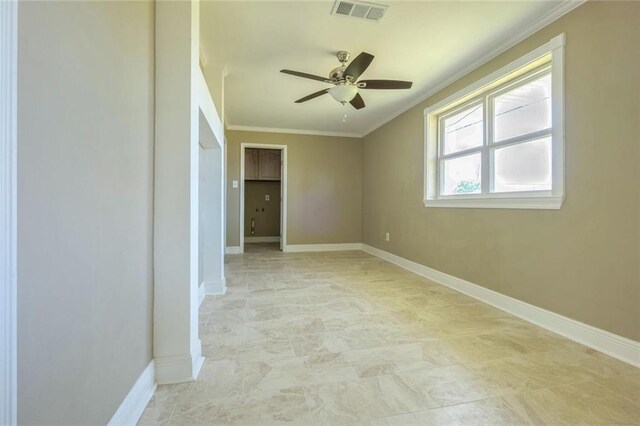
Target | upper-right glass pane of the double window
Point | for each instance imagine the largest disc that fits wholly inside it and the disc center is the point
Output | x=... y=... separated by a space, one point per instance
x=523 y=110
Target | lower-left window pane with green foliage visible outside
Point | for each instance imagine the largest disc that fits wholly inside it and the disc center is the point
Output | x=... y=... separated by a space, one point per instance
x=461 y=175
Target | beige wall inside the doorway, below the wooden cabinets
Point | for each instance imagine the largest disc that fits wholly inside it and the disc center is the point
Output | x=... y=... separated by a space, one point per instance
x=267 y=216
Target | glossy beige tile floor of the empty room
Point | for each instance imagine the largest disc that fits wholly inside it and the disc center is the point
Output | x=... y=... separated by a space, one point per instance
x=346 y=338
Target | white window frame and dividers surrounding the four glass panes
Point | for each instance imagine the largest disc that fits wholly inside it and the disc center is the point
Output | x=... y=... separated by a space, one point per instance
x=551 y=55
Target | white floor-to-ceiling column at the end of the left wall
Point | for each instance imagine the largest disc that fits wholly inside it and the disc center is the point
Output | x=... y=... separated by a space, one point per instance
x=176 y=347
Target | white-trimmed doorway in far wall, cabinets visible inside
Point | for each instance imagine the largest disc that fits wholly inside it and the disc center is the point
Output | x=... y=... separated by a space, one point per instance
x=263 y=197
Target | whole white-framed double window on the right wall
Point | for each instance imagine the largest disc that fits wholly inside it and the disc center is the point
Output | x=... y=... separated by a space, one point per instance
x=500 y=142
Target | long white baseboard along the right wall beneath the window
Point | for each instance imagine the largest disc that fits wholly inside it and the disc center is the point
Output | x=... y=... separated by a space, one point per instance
x=619 y=347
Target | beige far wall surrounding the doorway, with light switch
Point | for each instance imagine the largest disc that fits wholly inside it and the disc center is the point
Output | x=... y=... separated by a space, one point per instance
x=324 y=187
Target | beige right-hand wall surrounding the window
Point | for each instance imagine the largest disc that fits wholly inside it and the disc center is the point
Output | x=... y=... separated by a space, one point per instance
x=582 y=261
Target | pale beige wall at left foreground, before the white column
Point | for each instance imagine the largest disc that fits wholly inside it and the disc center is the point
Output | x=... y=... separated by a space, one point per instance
x=85 y=176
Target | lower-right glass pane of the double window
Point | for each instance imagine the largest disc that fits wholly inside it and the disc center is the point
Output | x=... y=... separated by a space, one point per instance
x=523 y=167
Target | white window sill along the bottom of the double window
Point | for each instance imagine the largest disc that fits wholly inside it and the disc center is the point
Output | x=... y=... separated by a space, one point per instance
x=536 y=203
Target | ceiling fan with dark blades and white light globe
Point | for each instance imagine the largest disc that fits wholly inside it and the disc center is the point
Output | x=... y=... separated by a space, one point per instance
x=345 y=80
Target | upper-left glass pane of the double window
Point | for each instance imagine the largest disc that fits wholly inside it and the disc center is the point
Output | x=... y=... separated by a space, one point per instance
x=463 y=130
